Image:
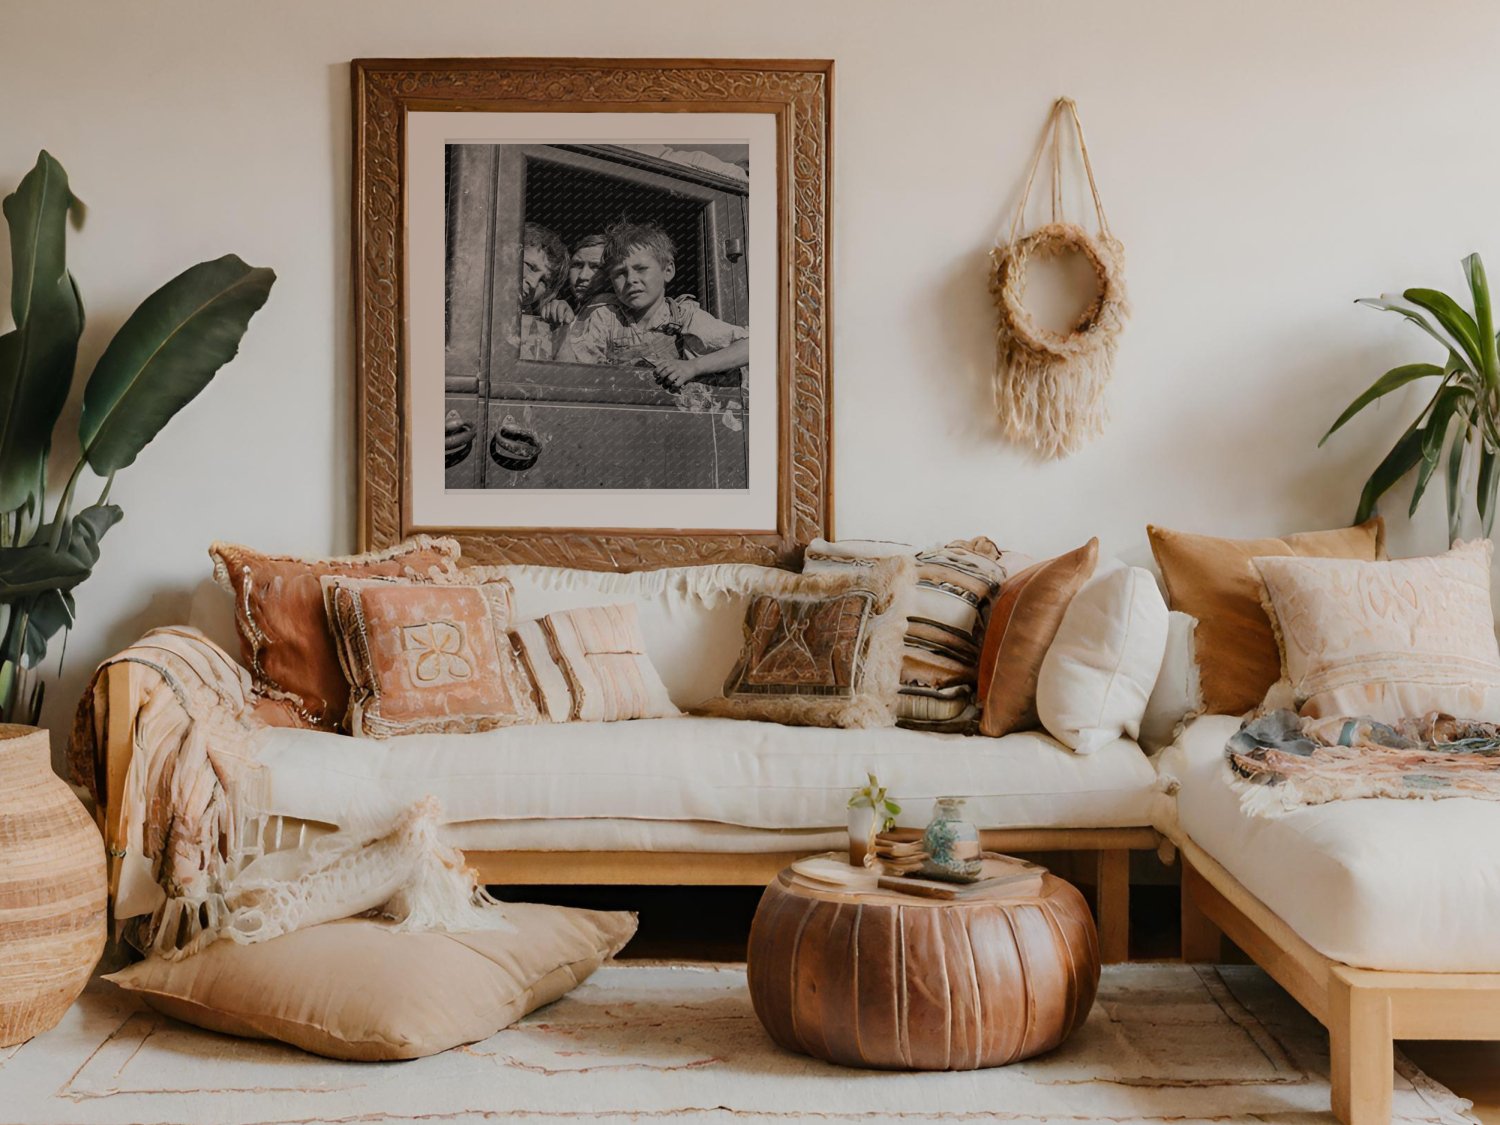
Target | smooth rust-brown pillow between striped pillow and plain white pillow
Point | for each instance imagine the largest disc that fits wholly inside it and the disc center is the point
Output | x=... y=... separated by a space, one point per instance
x=1025 y=620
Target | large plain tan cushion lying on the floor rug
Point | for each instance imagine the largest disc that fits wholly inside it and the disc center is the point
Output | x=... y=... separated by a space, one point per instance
x=358 y=991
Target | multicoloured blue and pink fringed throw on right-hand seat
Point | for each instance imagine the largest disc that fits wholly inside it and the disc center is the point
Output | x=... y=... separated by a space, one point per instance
x=1282 y=761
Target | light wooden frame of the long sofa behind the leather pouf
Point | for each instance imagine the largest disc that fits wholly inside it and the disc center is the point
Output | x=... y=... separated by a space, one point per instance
x=1112 y=847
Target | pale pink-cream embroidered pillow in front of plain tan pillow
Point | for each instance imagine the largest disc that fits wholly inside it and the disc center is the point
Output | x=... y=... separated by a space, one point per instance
x=1387 y=640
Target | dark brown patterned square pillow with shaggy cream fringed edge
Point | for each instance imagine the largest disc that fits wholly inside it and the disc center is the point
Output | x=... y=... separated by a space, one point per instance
x=824 y=649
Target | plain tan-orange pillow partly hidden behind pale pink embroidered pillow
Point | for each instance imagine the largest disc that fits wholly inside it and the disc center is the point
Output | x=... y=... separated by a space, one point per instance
x=1216 y=581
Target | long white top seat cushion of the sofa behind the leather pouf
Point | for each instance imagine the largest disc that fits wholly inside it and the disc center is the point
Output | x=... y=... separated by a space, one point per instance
x=722 y=770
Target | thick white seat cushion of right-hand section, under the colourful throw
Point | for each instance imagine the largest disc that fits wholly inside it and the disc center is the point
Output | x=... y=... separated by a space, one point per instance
x=1378 y=884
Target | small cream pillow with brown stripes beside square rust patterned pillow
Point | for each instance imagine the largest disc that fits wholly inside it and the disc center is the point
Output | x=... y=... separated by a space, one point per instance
x=592 y=667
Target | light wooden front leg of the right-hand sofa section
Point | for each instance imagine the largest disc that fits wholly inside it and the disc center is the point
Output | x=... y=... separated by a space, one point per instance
x=1361 y=1052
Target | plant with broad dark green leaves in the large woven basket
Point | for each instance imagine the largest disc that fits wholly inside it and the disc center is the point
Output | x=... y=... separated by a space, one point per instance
x=161 y=359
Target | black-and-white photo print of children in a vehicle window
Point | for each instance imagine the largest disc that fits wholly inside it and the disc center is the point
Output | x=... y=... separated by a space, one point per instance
x=598 y=316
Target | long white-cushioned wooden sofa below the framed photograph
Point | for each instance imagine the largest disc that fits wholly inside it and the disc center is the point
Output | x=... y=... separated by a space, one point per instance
x=688 y=800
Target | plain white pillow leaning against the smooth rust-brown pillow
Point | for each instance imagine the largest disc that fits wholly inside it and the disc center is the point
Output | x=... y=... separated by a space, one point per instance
x=1100 y=670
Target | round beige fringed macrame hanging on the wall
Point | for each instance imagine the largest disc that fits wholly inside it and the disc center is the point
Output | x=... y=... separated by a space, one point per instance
x=1049 y=386
